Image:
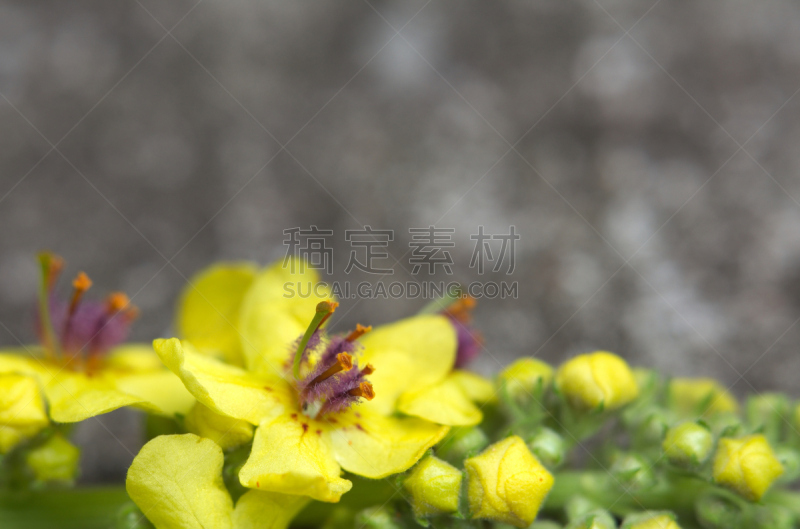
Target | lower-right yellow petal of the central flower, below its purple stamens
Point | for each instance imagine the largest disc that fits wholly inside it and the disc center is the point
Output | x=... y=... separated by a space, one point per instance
x=376 y=446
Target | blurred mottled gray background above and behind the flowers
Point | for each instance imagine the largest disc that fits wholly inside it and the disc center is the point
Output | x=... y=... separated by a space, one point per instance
x=646 y=152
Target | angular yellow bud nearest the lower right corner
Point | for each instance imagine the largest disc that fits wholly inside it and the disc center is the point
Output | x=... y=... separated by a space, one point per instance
x=746 y=465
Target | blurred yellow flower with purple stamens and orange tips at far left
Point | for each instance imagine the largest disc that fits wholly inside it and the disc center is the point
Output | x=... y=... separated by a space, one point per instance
x=81 y=365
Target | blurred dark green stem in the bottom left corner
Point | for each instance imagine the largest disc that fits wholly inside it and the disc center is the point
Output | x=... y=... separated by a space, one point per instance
x=85 y=508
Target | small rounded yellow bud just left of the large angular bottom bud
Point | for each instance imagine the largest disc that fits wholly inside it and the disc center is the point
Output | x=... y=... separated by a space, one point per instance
x=434 y=486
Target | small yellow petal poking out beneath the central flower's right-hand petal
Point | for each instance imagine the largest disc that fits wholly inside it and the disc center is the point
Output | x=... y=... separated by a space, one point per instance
x=443 y=403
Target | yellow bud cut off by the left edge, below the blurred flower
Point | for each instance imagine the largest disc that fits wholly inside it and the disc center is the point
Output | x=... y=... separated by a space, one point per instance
x=22 y=413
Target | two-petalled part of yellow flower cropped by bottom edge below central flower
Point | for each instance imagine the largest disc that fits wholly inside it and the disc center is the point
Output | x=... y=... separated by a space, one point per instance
x=176 y=480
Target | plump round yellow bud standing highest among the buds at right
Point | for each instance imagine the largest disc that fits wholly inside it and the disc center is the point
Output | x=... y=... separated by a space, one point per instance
x=597 y=380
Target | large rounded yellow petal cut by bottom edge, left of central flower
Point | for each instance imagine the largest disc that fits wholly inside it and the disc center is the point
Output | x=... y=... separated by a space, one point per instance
x=176 y=480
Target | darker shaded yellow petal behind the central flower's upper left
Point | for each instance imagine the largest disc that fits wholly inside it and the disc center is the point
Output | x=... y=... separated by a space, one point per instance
x=208 y=311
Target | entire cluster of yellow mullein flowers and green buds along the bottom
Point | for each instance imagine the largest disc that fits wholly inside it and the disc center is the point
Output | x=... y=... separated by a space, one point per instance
x=268 y=417
